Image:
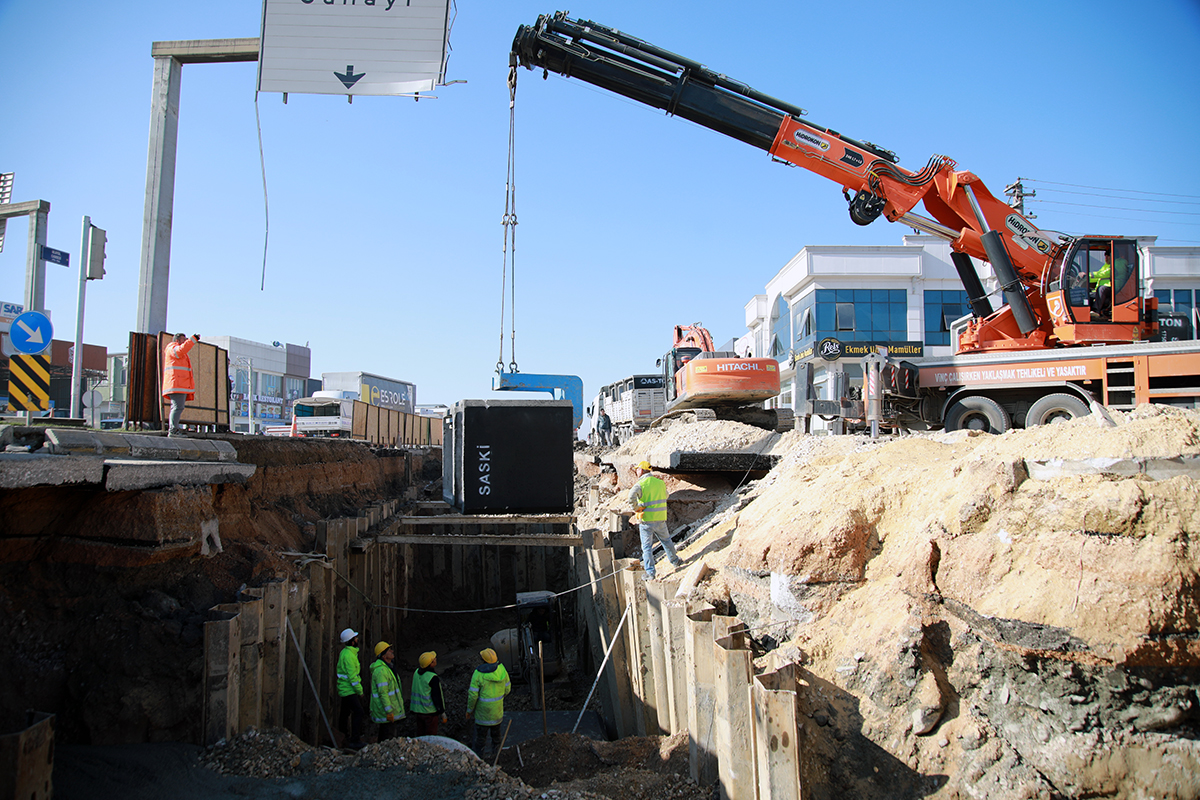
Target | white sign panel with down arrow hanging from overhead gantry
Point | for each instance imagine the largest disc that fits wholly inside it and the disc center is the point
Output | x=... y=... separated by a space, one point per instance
x=353 y=47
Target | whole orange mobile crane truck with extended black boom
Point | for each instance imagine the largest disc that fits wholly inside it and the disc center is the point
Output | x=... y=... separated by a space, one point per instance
x=1060 y=292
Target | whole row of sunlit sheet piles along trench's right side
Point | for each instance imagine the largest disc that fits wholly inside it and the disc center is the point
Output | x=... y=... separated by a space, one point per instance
x=679 y=666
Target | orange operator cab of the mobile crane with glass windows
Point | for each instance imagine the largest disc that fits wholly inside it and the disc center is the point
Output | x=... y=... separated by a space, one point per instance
x=1093 y=291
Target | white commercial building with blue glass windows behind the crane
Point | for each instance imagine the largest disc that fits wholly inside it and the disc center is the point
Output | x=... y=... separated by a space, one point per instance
x=831 y=305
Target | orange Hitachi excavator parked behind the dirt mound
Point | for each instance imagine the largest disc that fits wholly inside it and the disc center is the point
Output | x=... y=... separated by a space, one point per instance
x=718 y=384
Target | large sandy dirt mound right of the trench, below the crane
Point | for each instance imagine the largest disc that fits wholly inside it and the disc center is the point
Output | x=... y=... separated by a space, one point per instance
x=969 y=630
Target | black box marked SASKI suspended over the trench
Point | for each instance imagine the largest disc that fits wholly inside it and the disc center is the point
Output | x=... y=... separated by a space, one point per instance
x=509 y=458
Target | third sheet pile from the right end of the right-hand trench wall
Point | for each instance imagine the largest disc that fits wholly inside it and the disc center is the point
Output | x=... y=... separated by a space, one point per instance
x=701 y=695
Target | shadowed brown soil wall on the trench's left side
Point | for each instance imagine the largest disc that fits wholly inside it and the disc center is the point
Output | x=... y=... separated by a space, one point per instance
x=104 y=596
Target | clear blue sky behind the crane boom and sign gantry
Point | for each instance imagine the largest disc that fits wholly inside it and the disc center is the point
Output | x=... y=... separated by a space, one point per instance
x=386 y=238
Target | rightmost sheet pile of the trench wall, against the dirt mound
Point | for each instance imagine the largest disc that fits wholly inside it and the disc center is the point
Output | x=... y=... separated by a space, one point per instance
x=777 y=745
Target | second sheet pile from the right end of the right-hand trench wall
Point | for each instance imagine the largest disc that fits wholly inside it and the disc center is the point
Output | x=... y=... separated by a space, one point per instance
x=735 y=720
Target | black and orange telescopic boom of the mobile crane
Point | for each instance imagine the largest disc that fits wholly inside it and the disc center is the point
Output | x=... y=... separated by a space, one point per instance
x=961 y=209
